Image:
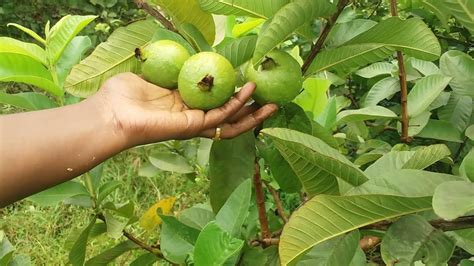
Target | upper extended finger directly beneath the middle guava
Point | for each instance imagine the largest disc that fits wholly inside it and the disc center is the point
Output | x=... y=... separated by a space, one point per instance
x=217 y=116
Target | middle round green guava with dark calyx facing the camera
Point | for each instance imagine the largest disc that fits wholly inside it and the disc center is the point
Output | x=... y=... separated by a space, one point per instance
x=207 y=80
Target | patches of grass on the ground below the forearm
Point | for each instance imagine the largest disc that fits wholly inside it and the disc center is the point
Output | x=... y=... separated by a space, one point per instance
x=41 y=232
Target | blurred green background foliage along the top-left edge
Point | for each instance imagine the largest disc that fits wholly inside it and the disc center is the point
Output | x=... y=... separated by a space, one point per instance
x=34 y=14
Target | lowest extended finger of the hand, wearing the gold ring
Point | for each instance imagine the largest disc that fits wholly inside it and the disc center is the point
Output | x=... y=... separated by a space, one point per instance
x=231 y=130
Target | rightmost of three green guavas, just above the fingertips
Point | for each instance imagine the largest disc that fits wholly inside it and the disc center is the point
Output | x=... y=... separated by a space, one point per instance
x=278 y=78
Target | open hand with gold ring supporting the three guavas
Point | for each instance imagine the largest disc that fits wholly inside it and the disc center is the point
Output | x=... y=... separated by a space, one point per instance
x=145 y=113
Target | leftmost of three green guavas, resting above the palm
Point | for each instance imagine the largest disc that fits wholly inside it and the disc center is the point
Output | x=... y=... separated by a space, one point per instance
x=162 y=62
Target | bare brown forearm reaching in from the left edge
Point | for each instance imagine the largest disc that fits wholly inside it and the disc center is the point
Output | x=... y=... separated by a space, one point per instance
x=44 y=148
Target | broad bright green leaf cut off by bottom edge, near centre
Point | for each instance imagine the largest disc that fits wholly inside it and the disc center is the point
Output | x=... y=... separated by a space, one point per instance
x=214 y=246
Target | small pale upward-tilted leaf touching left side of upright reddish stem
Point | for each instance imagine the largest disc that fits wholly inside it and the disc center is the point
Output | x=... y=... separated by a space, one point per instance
x=383 y=89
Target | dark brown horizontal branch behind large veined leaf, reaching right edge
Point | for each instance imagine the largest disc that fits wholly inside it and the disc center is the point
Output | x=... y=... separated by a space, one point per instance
x=456 y=224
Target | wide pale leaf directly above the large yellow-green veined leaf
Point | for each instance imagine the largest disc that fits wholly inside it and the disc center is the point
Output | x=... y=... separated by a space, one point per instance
x=404 y=182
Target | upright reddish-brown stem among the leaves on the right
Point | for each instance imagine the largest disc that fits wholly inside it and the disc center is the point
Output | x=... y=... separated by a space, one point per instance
x=403 y=83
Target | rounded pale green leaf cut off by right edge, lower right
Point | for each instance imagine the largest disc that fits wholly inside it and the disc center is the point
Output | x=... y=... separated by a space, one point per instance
x=453 y=199
